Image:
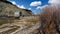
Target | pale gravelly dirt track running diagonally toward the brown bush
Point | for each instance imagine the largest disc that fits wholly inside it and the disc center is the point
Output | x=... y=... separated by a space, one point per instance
x=28 y=29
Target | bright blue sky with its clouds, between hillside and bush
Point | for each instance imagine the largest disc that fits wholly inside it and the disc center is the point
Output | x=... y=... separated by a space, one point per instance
x=33 y=5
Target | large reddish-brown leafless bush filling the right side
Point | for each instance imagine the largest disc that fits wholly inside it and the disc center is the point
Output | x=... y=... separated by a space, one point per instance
x=50 y=20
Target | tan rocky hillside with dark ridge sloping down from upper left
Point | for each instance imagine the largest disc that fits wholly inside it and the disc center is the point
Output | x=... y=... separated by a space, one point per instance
x=7 y=8
